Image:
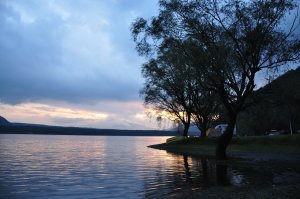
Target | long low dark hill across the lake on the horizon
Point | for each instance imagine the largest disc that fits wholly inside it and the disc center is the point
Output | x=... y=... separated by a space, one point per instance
x=23 y=128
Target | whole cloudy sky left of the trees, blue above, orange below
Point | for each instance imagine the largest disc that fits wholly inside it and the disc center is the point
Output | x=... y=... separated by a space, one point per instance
x=72 y=63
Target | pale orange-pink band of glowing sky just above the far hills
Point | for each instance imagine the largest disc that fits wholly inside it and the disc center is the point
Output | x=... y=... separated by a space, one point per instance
x=103 y=114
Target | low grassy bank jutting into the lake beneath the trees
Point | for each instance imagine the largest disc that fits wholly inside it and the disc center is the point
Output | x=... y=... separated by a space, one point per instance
x=256 y=146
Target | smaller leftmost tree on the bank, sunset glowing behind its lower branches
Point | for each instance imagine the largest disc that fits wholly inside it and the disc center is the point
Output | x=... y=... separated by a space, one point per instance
x=168 y=84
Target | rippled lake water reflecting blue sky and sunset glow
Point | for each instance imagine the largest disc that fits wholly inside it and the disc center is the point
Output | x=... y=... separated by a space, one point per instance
x=51 y=166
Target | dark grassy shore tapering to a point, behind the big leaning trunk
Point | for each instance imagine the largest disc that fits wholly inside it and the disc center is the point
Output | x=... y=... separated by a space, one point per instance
x=285 y=151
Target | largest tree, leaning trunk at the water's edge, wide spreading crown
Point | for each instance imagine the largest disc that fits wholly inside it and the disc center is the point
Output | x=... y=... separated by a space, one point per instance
x=237 y=40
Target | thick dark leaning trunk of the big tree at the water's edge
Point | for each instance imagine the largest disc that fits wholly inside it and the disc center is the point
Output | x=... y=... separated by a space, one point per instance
x=225 y=139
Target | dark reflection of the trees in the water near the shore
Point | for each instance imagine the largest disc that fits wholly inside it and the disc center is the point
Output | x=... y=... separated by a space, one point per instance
x=186 y=173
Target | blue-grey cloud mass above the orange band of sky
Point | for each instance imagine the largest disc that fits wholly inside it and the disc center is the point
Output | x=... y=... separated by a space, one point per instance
x=59 y=56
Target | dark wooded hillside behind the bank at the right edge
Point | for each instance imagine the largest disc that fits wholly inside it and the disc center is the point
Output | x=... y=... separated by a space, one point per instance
x=276 y=106
